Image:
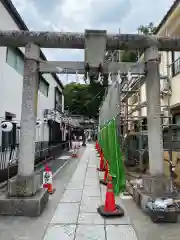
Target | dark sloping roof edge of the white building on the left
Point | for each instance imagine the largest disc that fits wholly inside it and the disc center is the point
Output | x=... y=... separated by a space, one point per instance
x=22 y=26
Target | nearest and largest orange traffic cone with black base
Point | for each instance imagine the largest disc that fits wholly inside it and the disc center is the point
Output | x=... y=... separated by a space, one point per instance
x=110 y=209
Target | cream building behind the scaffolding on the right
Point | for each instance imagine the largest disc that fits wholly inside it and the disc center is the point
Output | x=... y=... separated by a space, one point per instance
x=169 y=93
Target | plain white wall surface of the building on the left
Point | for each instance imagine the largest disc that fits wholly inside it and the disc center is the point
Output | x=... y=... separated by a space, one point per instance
x=11 y=82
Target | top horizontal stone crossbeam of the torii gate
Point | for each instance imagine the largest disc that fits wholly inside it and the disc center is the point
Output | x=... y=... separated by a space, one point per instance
x=77 y=40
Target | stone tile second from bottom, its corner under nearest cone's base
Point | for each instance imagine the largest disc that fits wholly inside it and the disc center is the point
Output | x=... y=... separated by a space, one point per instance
x=90 y=218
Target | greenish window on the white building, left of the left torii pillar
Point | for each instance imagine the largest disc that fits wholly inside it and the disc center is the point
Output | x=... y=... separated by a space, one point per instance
x=15 y=59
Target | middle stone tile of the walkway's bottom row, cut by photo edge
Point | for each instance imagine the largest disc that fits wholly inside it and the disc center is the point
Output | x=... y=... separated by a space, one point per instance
x=90 y=232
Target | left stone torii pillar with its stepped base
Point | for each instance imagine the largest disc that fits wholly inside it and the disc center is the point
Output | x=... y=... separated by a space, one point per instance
x=25 y=197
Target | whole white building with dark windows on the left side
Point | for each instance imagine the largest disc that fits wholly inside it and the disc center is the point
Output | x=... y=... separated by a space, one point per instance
x=50 y=94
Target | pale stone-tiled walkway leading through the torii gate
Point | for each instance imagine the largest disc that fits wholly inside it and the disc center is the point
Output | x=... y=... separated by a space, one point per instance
x=76 y=216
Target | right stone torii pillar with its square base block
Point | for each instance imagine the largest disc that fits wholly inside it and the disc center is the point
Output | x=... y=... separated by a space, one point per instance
x=156 y=183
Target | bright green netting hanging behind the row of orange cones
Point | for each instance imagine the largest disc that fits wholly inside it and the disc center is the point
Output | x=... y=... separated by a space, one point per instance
x=109 y=142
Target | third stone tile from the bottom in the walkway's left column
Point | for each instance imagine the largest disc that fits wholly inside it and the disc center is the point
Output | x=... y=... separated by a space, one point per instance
x=71 y=196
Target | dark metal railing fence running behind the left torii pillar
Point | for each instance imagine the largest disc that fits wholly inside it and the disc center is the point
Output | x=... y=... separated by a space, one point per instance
x=9 y=156
